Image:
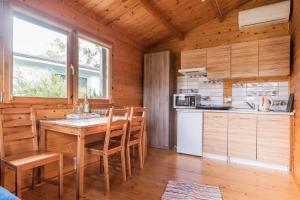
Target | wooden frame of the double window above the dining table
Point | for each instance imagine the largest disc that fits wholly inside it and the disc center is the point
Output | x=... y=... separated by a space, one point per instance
x=73 y=33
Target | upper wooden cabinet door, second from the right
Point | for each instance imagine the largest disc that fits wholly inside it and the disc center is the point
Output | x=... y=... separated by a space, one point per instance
x=244 y=60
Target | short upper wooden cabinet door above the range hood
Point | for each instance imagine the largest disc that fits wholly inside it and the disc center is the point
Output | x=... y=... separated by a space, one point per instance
x=193 y=58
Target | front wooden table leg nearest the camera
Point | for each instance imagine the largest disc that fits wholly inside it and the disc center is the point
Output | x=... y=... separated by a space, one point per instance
x=80 y=164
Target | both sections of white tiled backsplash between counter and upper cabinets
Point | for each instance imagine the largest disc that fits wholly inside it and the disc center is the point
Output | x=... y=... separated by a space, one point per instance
x=212 y=92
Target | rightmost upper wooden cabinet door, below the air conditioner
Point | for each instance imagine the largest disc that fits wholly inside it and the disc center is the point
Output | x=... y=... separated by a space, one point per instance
x=274 y=56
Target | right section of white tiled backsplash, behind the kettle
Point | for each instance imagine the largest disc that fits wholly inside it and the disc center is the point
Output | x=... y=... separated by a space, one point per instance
x=251 y=92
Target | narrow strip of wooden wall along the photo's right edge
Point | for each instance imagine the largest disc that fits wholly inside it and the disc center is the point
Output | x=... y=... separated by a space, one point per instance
x=295 y=30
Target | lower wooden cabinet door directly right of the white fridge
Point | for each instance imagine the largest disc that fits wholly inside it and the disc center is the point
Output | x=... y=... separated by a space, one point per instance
x=215 y=133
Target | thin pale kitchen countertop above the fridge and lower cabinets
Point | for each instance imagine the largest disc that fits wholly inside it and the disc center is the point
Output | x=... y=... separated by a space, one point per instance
x=246 y=111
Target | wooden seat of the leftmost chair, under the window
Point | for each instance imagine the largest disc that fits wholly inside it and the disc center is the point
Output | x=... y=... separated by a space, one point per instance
x=31 y=160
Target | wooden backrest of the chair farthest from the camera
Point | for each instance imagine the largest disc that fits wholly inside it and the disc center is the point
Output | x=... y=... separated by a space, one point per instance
x=136 y=122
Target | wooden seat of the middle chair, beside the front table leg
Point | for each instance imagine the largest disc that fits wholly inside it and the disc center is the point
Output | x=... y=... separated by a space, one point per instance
x=97 y=147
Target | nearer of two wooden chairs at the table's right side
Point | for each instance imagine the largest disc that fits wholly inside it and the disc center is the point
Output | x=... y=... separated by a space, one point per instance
x=113 y=143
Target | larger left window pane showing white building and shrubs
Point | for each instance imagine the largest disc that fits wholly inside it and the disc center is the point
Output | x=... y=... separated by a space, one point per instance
x=39 y=59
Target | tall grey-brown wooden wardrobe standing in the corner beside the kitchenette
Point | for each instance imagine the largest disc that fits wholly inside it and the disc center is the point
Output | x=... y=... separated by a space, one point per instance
x=156 y=97
